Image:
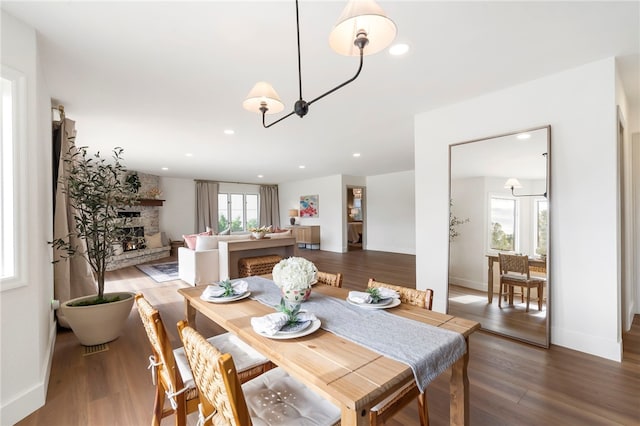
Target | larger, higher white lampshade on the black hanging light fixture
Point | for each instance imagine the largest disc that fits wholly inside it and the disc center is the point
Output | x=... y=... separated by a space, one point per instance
x=362 y=15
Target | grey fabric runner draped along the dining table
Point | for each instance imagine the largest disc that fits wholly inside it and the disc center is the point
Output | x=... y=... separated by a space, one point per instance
x=428 y=350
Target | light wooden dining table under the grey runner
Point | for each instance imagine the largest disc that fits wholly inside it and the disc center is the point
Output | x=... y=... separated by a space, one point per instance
x=349 y=375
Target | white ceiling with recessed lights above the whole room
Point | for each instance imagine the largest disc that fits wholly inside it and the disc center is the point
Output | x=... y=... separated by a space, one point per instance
x=163 y=79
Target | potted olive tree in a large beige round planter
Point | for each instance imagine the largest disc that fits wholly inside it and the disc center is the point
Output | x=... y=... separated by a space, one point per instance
x=97 y=190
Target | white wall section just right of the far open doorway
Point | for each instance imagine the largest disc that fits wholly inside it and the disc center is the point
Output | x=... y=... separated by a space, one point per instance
x=391 y=220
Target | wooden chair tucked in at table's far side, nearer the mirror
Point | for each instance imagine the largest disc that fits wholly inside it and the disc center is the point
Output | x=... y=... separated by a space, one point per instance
x=393 y=404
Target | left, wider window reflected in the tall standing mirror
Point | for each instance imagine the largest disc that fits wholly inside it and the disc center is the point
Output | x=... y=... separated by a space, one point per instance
x=502 y=226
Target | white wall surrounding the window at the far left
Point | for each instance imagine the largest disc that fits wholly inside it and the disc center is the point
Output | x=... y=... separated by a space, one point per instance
x=27 y=333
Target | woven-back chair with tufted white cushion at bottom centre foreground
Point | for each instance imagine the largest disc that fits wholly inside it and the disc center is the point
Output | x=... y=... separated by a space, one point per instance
x=274 y=398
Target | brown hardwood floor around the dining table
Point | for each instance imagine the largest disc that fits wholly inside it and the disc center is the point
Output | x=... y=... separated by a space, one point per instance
x=511 y=383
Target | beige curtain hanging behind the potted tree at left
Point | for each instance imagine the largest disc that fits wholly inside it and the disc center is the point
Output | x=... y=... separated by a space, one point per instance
x=71 y=277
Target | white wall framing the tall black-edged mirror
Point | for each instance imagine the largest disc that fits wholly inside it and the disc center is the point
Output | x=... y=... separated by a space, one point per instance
x=580 y=106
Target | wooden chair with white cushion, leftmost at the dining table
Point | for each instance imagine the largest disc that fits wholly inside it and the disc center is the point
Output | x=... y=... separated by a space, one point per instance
x=170 y=369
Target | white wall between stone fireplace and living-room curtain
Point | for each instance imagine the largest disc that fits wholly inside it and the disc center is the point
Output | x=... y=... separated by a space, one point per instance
x=178 y=215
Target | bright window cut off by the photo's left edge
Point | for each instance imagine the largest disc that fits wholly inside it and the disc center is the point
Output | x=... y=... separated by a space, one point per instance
x=11 y=118
